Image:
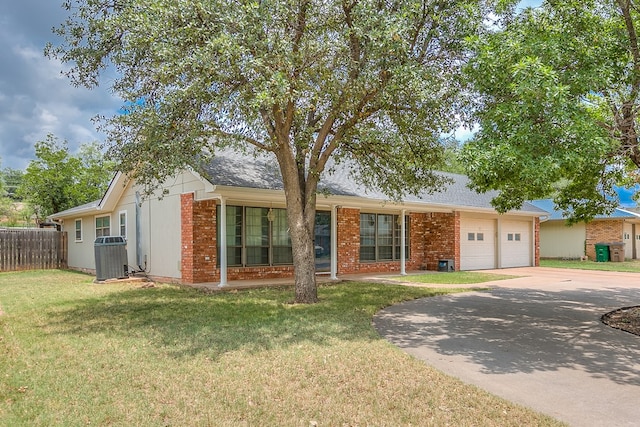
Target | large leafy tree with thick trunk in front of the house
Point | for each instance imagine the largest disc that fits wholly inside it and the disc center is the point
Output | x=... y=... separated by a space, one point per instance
x=371 y=82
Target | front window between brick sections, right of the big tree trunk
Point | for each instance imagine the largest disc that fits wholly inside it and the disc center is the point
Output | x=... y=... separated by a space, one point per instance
x=380 y=237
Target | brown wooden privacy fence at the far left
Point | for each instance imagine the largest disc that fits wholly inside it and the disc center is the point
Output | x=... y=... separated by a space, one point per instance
x=32 y=249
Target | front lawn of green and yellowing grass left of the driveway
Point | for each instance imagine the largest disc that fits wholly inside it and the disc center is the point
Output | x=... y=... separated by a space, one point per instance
x=74 y=353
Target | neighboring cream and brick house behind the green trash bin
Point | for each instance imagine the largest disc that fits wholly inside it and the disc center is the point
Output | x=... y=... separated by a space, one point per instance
x=559 y=240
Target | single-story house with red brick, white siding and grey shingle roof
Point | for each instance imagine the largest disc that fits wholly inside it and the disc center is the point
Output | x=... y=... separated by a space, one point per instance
x=175 y=235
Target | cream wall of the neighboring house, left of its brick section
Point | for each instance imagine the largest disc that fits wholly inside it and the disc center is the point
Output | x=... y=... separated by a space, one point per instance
x=557 y=240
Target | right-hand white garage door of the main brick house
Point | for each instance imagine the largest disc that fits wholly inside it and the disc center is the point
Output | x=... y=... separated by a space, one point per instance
x=515 y=243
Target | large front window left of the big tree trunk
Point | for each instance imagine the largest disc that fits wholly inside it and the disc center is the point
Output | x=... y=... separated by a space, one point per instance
x=252 y=239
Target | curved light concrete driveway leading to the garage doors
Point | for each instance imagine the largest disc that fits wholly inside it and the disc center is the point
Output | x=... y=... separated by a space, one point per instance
x=535 y=340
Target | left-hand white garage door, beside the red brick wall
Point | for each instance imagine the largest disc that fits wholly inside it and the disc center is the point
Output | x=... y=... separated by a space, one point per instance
x=477 y=244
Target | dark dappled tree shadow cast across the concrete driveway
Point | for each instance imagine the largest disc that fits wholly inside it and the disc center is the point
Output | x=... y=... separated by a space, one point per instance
x=521 y=330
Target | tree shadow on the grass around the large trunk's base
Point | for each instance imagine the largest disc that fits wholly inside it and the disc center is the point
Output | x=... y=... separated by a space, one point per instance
x=184 y=322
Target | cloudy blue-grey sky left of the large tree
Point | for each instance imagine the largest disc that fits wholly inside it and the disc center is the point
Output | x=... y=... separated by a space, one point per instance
x=35 y=97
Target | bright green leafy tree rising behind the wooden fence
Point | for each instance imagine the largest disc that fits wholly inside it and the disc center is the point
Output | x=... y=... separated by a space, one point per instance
x=57 y=180
